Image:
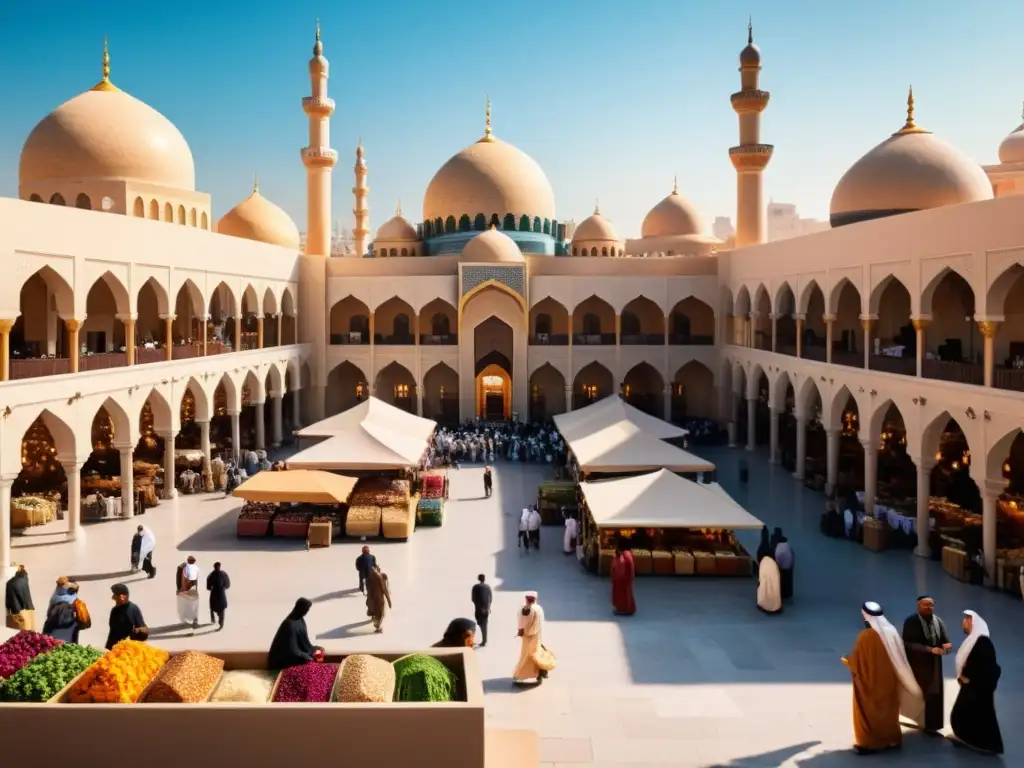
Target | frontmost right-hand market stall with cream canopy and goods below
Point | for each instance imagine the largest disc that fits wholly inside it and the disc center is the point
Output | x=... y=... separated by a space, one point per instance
x=672 y=526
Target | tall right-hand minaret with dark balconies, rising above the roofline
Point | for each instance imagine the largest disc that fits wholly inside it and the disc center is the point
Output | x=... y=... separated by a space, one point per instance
x=751 y=157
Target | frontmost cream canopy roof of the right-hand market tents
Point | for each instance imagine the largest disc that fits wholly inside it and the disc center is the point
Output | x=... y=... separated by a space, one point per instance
x=664 y=500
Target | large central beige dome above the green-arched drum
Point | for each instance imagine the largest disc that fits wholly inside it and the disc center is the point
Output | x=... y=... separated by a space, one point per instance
x=490 y=178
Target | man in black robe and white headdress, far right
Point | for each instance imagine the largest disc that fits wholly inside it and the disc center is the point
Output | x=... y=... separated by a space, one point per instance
x=973 y=719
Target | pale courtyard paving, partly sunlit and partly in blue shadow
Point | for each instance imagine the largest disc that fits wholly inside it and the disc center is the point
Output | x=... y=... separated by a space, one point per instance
x=699 y=677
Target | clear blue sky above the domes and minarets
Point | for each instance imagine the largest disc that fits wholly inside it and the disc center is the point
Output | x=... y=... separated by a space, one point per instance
x=611 y=98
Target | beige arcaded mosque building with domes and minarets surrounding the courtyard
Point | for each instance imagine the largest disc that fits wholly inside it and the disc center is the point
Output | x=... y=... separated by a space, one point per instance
x=488 y=305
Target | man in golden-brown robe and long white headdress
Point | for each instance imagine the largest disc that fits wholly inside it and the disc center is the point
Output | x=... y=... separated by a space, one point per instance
x=884 y=687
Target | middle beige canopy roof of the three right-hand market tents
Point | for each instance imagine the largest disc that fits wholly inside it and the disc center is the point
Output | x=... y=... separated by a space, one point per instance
x=625 y=448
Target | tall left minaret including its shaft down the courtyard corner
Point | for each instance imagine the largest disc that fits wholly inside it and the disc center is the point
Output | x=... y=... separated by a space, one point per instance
x=319 y=159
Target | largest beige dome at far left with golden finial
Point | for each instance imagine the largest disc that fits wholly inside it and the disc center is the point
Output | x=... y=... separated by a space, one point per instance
x=106 y=134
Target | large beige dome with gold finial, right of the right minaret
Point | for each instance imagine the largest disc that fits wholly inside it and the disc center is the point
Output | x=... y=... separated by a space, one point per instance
x=913 y=170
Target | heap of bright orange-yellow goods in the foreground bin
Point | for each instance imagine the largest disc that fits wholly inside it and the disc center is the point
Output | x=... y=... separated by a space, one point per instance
x=120 y=676
